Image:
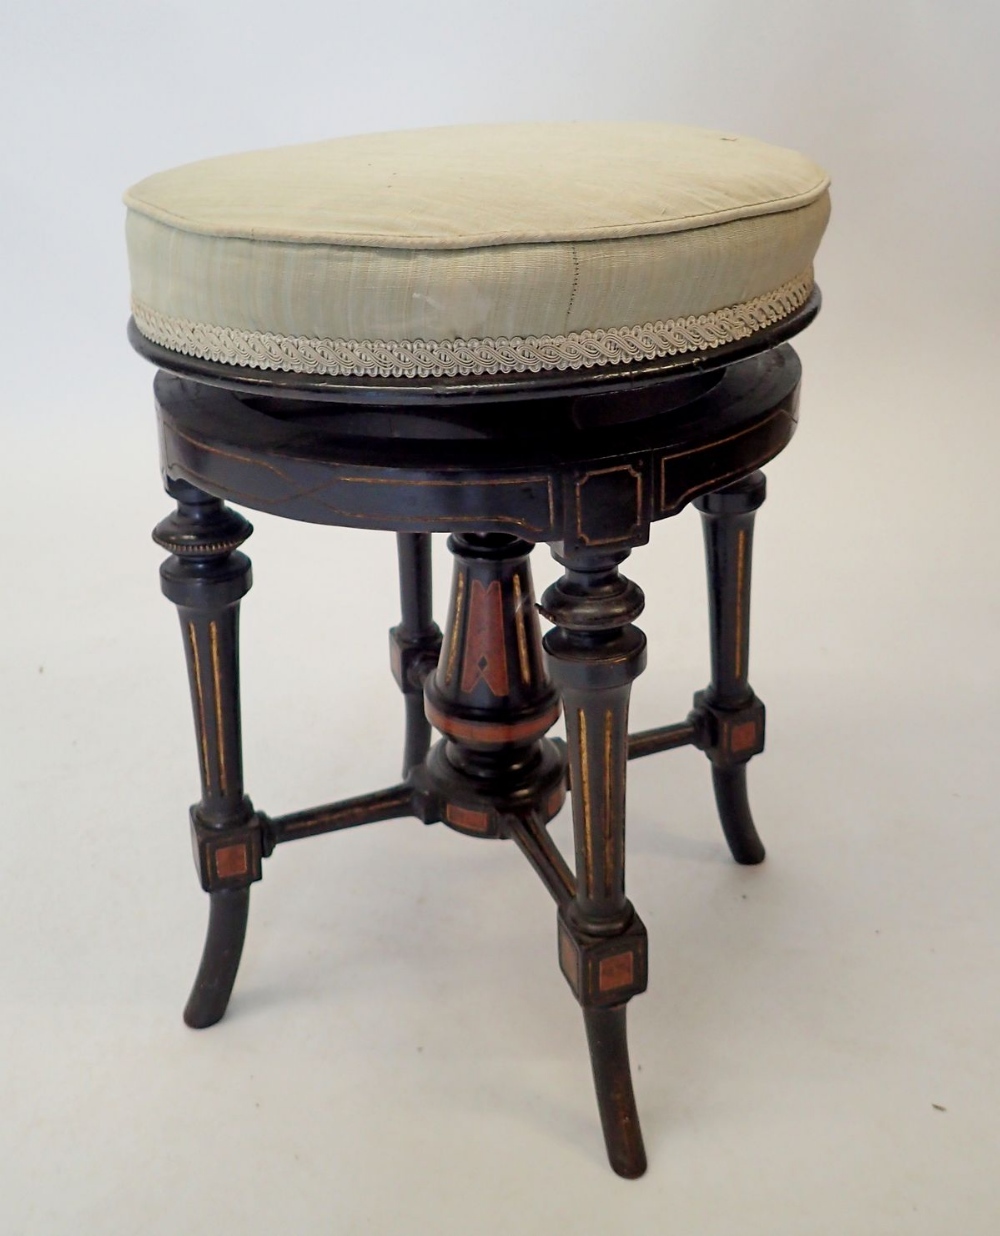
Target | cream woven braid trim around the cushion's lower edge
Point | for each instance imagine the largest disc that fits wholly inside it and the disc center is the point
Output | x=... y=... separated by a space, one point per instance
x=452 y=358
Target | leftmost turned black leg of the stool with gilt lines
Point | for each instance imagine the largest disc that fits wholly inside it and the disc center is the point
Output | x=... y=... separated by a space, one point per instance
x=206 y=578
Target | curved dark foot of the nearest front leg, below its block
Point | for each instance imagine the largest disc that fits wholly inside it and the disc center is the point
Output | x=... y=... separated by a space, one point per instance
x=612 y=1081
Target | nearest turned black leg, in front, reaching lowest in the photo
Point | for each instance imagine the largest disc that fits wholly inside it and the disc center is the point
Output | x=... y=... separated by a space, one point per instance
x=595 y=654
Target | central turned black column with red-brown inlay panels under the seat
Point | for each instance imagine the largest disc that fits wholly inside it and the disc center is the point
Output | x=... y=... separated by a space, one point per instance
x=491 y=696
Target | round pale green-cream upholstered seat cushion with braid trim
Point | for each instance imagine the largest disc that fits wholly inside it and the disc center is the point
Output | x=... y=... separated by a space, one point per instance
x=475 y=250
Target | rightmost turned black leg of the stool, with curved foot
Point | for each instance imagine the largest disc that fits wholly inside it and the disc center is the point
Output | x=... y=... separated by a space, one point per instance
x=730 y=716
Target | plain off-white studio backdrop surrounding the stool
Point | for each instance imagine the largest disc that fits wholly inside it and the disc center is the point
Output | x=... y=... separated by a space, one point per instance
x=402 y=1055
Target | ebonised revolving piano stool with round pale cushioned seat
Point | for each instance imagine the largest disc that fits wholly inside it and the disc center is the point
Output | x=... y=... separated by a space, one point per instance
x=515 y=334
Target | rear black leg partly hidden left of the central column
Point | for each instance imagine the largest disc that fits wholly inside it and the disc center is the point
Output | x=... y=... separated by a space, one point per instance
x=416 y=643
